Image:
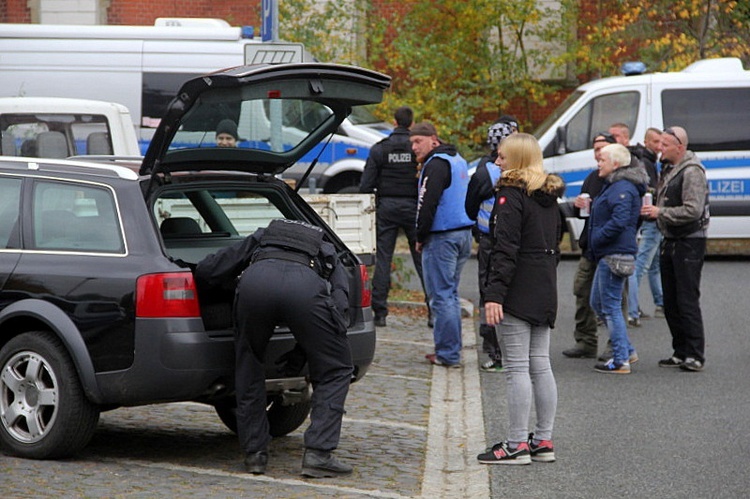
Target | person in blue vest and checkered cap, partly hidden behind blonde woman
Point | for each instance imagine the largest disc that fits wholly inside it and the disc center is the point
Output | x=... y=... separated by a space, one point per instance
x=480 y=198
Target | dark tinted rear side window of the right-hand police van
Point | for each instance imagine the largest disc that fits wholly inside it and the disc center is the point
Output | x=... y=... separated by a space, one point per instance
x=716 y=118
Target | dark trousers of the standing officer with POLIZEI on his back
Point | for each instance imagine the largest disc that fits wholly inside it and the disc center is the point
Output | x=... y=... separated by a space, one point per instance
x=393 y=213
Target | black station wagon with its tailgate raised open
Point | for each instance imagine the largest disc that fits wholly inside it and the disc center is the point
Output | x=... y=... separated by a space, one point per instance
x=98 y=307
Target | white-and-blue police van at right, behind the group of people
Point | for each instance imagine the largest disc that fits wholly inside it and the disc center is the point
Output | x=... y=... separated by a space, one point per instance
x=710 y=99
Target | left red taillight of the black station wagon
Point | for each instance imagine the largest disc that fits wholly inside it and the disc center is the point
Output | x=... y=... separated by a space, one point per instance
x=166 y=295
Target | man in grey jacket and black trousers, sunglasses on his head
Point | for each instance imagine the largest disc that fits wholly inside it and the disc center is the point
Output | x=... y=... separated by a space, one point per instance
x=682 y=213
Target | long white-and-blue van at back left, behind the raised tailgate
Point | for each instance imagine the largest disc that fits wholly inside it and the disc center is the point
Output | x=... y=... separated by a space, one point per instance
x=143 y=67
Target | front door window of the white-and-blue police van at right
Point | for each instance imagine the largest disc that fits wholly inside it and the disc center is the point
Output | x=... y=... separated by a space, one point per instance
x=598 y=115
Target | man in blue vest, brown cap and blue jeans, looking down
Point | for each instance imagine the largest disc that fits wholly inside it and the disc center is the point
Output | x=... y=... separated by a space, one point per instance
x=443 y=236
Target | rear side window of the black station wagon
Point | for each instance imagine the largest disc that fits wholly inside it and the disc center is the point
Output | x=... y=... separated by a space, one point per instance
x=76 y=218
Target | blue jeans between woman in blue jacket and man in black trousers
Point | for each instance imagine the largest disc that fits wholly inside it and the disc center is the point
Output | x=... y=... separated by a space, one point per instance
x=647 y=260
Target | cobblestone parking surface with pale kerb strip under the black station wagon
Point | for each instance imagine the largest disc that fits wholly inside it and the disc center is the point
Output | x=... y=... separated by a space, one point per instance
x=410 y=430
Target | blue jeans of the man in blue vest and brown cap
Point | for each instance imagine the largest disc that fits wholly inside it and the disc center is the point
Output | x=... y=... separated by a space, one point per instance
x=443 y=257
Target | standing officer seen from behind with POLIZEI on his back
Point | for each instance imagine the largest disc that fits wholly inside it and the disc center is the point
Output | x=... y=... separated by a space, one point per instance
x=391 y=172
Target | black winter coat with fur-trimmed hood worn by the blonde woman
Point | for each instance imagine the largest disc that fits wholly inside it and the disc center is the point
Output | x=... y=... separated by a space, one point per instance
x=525 y=253
